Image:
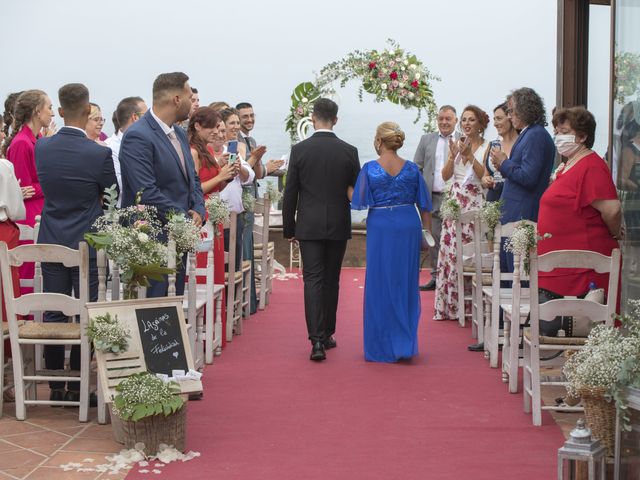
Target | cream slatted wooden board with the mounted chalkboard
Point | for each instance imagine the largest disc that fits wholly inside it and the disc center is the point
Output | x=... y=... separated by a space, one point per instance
x=159 y=342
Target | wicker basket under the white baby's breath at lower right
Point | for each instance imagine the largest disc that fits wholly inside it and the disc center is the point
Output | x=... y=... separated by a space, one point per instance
x=601 y=416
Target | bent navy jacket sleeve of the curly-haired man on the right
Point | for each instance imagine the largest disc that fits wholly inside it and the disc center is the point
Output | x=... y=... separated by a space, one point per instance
x=526 y=172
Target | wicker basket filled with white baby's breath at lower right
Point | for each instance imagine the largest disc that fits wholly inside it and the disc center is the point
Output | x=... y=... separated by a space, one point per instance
x=600 y=372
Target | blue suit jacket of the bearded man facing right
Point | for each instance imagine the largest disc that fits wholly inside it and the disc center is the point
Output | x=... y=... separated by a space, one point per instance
x=151 y=164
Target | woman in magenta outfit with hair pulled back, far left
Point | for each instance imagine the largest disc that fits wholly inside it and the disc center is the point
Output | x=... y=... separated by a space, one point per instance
x=33 y=112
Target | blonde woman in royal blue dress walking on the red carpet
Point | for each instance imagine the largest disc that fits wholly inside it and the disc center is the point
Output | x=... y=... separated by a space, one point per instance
x=391 y=188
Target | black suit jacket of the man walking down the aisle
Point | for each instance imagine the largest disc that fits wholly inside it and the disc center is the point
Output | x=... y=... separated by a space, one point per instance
x=321 y=168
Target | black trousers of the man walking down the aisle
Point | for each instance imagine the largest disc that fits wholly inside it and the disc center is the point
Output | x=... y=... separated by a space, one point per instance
x=321 y=264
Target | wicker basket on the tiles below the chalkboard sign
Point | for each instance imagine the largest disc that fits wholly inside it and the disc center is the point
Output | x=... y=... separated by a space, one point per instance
x=152 y=431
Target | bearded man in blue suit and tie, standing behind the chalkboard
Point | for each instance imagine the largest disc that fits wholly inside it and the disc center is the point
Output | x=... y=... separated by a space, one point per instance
x=155 y=158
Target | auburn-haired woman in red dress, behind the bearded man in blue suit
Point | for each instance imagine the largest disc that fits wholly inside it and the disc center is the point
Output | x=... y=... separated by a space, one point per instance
x=202 y=130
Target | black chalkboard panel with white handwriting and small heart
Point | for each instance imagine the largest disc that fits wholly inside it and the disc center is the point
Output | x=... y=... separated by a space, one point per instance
x=161 y=338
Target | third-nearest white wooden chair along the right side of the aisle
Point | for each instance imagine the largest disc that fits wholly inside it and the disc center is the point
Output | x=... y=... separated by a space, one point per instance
x=495 y=295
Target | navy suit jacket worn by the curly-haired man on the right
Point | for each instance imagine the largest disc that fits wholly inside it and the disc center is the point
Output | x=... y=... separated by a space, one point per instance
x=527 y=173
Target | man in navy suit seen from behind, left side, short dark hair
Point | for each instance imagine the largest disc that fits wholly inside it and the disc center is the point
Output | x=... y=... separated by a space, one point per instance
x=74 y=171
